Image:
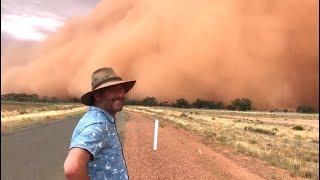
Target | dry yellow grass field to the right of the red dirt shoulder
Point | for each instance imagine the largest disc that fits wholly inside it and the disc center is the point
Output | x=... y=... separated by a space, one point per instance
x=285 y=140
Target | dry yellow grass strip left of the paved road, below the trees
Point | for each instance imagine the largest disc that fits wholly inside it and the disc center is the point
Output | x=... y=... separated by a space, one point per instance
x=19 y=115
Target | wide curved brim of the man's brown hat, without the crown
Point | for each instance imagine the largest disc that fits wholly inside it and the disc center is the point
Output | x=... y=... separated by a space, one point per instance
x=87 y=98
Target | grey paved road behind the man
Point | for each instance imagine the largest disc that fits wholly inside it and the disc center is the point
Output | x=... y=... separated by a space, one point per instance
x=38 y=153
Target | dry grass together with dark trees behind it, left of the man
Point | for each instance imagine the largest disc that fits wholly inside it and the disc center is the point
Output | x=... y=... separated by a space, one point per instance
x=20 y=111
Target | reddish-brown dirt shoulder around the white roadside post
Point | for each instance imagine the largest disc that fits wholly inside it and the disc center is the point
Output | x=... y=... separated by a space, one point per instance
x=181 y=155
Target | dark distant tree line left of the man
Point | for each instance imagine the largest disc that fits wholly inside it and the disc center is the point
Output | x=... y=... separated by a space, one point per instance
x=23 y=97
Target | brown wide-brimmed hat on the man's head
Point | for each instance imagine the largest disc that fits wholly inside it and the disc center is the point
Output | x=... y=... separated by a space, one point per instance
x=103 y=78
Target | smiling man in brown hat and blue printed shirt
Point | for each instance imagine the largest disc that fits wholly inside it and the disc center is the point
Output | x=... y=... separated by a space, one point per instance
x=95 y=151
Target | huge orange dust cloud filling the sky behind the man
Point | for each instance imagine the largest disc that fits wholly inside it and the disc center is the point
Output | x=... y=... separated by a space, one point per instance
x=265 y=50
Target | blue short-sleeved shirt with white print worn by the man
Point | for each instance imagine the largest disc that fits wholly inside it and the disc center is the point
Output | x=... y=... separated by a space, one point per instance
x=96 y=132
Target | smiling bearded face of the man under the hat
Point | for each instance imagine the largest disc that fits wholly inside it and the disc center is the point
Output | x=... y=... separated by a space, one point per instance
x=112 y=98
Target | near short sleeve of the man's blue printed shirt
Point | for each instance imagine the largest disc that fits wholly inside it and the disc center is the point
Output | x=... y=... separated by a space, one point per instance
x=90 y=139
